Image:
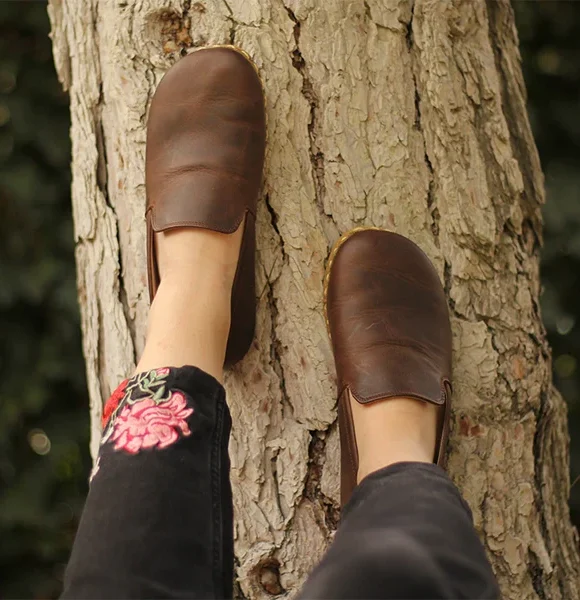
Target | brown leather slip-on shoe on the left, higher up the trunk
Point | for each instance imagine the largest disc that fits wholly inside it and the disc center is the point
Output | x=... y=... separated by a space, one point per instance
x=205 y=155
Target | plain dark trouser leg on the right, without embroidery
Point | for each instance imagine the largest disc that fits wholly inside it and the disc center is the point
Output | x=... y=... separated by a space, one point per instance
x=405 y=533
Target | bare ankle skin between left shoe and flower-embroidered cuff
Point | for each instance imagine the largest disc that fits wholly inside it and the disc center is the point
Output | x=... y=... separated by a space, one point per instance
x=190 y=316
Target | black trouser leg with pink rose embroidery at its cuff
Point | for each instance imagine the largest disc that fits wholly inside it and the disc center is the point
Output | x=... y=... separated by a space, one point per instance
x=157 y=521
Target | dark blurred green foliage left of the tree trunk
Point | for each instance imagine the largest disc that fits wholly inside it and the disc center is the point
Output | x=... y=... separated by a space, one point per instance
x=44 y=456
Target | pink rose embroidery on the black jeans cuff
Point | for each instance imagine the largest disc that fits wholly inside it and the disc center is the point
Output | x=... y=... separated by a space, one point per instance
x=146 y=424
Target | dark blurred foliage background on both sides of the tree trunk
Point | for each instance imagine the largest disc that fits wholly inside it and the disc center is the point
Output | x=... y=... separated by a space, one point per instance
x=44 y=428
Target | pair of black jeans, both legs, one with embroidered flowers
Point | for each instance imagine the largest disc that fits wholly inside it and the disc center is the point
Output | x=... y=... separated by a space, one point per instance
x=158 y=518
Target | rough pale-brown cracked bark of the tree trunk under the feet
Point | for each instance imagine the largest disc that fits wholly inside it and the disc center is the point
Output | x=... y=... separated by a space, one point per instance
x=399 y=114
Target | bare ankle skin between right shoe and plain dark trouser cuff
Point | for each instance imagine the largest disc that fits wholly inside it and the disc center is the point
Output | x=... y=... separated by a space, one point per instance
x=393 y=430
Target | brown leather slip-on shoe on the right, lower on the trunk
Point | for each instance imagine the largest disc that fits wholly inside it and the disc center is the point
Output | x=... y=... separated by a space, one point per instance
x=388 y=321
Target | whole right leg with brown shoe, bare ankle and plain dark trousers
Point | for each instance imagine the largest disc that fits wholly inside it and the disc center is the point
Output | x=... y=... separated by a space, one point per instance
x=405 y=531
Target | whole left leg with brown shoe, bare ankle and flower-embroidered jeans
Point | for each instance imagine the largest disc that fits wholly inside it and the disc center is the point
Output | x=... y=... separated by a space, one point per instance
x=158 y=517
